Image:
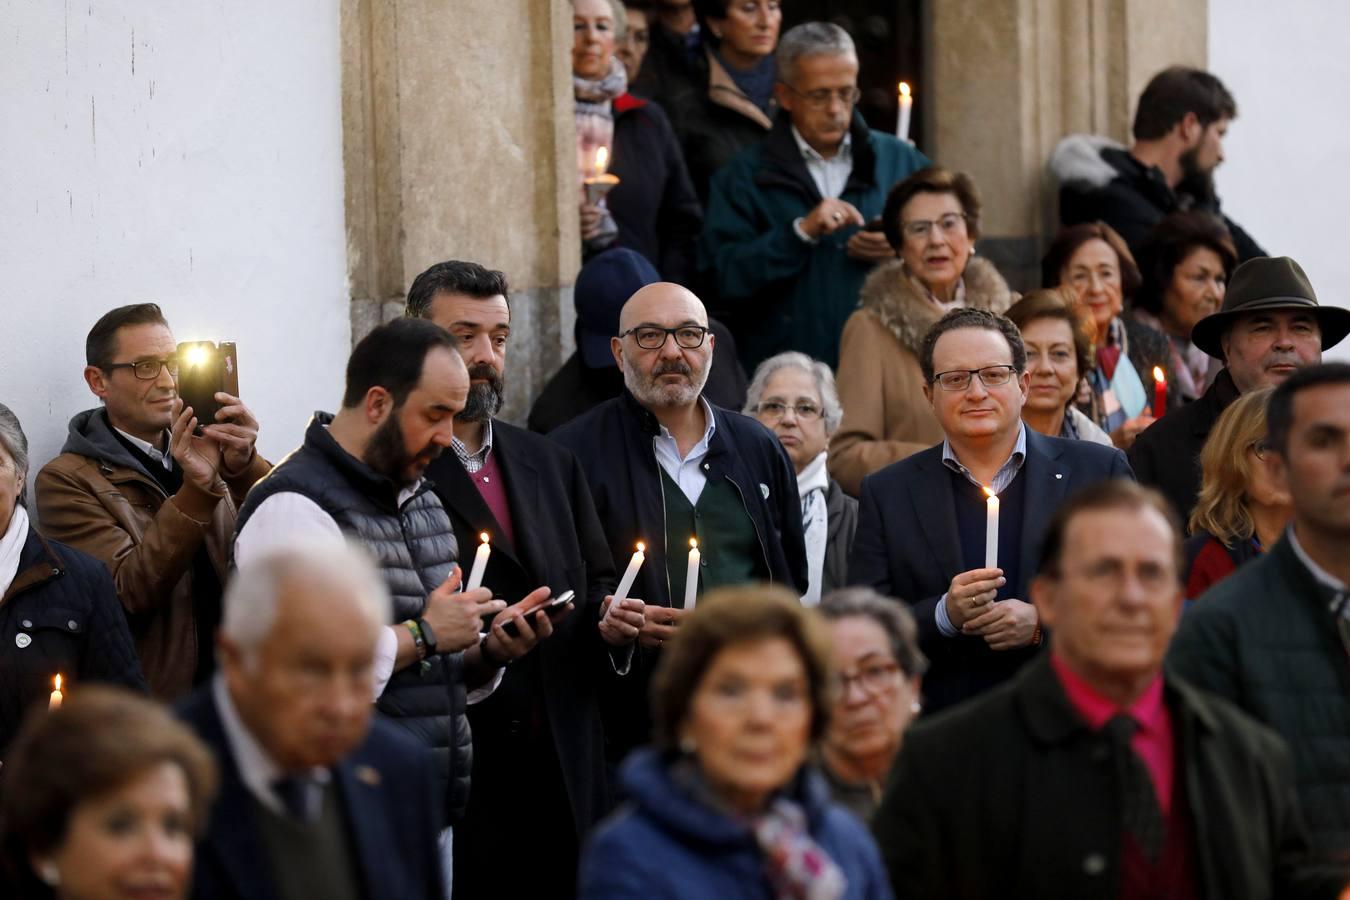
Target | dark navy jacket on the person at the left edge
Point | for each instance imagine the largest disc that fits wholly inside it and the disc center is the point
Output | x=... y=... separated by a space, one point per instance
x=60 y=617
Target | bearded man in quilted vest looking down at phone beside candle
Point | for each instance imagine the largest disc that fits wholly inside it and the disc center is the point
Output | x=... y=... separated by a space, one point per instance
x=360 y=476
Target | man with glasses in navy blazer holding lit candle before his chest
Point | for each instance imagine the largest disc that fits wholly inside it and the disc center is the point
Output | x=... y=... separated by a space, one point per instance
x=925 y=523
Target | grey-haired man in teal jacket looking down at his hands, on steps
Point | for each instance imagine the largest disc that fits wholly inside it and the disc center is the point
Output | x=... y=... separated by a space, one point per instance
x=788 y=230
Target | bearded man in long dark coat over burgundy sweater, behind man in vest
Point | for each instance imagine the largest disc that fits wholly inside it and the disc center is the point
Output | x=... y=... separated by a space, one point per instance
x=539 y=764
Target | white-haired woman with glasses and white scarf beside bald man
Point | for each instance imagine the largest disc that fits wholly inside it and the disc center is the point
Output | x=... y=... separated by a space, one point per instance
x=794 y=397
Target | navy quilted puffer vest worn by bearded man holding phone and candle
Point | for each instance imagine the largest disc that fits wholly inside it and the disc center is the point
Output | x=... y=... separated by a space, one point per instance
x=415 y=549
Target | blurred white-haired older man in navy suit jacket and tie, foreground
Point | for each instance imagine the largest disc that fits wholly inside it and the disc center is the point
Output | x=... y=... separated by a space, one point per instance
x=317 y=799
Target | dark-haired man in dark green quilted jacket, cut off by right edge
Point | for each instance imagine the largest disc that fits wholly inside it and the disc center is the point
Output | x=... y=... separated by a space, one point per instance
x=1275 y=636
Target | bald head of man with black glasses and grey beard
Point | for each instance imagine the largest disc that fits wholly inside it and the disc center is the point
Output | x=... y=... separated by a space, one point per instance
x=664 y=370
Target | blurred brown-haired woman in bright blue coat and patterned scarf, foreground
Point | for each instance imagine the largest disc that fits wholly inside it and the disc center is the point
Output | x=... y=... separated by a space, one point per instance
x=727 y=804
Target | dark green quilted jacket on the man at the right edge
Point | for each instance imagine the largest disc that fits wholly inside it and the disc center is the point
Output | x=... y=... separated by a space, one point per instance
x=1266 y=640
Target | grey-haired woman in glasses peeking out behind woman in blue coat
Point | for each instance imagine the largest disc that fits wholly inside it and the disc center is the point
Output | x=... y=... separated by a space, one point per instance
x=880 y=666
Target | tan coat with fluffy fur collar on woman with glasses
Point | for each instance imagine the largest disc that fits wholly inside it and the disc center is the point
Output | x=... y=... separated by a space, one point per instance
x=881 y=384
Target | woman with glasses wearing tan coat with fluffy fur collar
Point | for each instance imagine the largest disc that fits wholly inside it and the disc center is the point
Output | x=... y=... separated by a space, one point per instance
x=932 y=219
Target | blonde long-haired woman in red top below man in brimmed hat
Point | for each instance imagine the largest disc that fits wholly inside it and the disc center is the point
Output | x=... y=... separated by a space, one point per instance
x=1241 y=509
